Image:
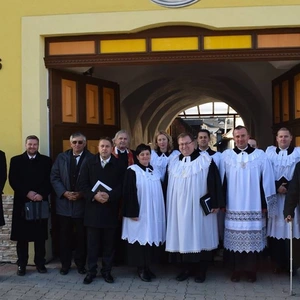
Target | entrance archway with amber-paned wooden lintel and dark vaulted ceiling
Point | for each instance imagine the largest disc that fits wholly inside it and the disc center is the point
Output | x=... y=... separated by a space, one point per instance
x=152 y=94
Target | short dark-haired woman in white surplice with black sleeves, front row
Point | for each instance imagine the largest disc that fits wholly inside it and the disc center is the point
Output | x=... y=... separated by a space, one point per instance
x=144 y=223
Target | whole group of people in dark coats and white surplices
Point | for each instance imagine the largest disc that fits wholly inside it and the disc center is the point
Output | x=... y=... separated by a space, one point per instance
x=159 y=201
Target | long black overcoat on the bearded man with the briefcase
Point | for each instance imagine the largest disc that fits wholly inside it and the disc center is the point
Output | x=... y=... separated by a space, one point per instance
x=28 y=175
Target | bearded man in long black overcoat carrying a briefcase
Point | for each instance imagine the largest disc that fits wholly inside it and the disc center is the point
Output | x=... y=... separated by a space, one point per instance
x=29 y=177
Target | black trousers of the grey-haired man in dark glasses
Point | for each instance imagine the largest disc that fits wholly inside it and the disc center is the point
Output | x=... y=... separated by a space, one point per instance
x=72 y=229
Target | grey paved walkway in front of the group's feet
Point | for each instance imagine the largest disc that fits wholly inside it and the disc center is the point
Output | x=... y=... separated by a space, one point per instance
x=127 y=286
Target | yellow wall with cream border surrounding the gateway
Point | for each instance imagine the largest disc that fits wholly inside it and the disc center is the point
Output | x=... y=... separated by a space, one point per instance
x=23 y=78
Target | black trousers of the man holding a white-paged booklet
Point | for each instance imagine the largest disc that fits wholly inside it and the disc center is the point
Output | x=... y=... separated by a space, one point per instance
x=100 y=238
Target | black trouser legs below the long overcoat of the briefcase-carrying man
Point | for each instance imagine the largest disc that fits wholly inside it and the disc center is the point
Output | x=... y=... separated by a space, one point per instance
x=39 y=252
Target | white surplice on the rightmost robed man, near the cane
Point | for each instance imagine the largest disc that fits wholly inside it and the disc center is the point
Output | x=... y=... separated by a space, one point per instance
x=283 y=166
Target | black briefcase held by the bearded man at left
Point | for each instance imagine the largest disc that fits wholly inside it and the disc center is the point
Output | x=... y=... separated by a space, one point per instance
x=36 y=210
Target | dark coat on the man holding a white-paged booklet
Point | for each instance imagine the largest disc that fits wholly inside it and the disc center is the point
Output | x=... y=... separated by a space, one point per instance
x=96 y=214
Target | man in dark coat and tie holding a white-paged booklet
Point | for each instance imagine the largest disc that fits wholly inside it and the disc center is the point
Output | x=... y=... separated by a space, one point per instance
x=102 y=204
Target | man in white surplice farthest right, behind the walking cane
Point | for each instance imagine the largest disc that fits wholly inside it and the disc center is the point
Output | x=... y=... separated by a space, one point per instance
x=284 y=158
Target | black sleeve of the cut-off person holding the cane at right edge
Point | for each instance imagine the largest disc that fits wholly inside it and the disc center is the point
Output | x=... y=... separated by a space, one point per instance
x=293 y=194
